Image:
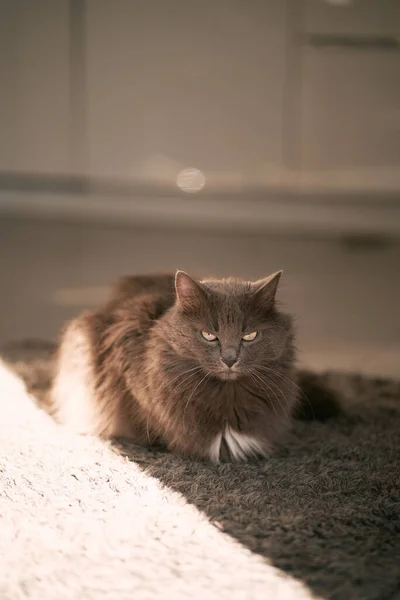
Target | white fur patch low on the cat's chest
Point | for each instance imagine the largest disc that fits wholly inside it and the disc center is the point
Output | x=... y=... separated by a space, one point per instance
x=234 y=445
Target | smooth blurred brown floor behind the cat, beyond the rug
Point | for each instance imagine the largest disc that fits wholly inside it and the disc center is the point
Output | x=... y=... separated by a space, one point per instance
x=346 y=296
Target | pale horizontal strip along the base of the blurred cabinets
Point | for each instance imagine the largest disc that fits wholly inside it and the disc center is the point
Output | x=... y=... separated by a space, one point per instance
x=230 y=215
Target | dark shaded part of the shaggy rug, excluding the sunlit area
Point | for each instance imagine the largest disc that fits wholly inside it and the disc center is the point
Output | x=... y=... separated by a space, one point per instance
x=326 y=509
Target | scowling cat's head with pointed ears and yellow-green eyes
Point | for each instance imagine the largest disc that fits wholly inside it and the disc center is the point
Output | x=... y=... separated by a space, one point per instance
x=230 y=328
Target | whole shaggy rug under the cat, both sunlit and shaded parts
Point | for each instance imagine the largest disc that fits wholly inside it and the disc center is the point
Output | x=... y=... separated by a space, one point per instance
x=81 y=519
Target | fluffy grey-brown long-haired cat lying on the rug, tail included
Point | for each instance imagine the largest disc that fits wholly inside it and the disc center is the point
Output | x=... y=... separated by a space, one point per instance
x=205 y=368
